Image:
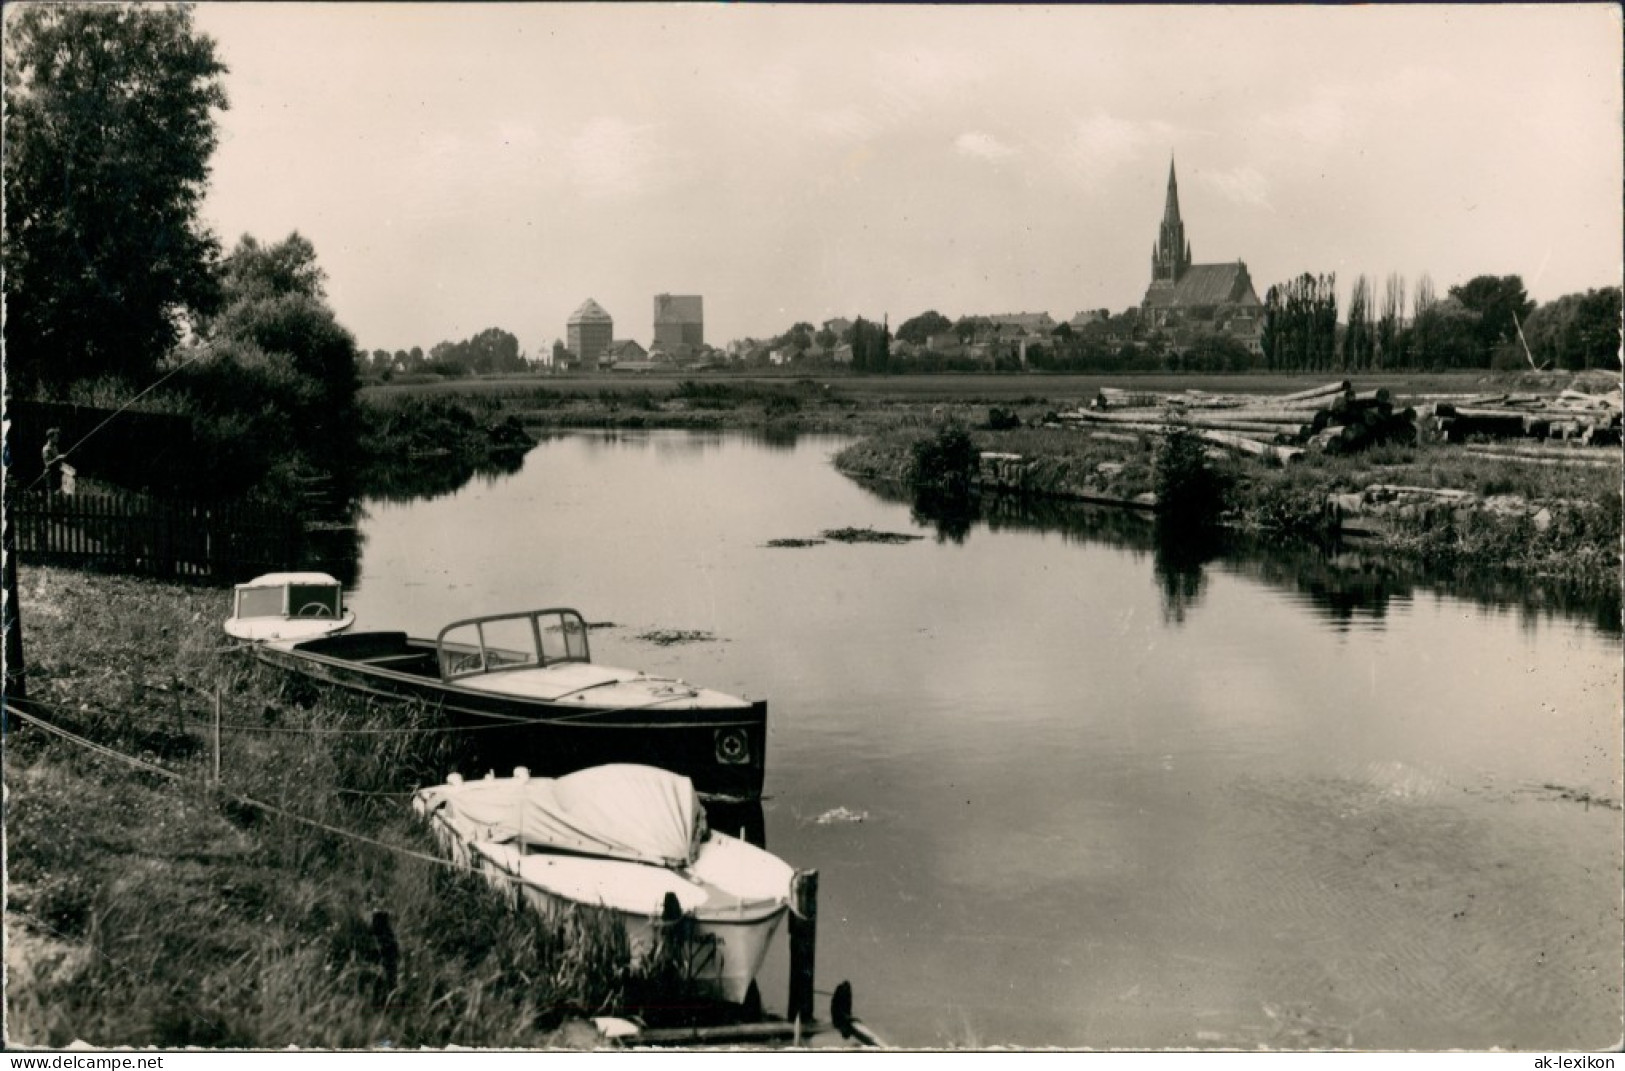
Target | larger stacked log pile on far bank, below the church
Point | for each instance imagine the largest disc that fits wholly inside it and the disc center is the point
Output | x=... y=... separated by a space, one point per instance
x=1280 y=428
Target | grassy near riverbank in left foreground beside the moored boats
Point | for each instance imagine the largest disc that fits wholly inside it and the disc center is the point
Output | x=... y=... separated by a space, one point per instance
x=300 y=903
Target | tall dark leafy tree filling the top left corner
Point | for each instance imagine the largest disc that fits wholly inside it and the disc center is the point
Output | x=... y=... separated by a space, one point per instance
x=110 y=132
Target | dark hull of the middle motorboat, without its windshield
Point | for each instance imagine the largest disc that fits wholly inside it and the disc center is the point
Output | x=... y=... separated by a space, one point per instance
x=717 y=742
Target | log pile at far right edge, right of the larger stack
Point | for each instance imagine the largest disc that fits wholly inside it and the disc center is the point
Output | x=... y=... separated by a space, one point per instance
x=1572 y=417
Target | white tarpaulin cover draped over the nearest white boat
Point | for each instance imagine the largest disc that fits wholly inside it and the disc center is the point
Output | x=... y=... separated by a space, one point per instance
x=612 y=812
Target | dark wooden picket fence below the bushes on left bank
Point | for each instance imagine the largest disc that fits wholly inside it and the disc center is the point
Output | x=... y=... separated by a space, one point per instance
x=155 y=537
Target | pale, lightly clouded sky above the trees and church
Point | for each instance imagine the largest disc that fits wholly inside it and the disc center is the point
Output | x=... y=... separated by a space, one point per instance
x=472 y=167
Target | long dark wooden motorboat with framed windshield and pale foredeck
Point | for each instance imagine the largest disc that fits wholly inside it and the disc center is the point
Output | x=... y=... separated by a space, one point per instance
x=526 y=690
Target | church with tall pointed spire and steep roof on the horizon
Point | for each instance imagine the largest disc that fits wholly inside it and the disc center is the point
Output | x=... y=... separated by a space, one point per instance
x=1187 y=298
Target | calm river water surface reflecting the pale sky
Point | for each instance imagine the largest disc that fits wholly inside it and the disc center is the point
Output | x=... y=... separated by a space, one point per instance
x=1064 y=792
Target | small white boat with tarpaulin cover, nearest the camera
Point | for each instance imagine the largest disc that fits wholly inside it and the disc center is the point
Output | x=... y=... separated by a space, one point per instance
x=628 y=839
